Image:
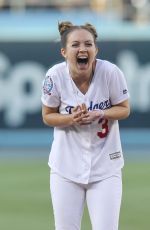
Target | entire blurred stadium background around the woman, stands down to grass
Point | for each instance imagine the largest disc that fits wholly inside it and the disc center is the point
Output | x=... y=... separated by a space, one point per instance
x=29 y=45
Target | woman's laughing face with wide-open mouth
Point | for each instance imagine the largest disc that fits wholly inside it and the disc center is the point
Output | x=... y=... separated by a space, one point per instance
x=80 y=51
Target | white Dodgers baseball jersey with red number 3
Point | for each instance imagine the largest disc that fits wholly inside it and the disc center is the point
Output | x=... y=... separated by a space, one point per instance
x=91 y=152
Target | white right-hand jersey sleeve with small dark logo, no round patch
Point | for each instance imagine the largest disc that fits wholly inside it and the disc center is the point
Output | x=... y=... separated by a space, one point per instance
x=118 y=87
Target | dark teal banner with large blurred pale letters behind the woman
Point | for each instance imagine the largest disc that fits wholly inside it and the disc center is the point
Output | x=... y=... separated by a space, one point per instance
x=23 y=67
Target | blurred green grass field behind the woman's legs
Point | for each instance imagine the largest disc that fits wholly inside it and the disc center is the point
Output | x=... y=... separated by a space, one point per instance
x=25 y=203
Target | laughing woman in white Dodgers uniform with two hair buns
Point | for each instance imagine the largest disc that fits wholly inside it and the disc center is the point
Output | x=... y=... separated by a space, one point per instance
x=83 y=98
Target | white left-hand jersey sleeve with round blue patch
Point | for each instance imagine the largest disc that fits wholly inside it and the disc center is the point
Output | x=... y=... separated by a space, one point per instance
x=50 y=96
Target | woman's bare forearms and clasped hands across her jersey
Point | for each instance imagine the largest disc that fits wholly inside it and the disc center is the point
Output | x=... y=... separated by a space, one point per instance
x=80 y=115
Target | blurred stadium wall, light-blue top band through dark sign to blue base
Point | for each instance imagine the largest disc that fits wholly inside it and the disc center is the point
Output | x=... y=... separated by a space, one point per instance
x=29 y=45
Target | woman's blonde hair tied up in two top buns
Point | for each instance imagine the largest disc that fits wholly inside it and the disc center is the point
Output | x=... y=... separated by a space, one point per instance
x=67 y=27
